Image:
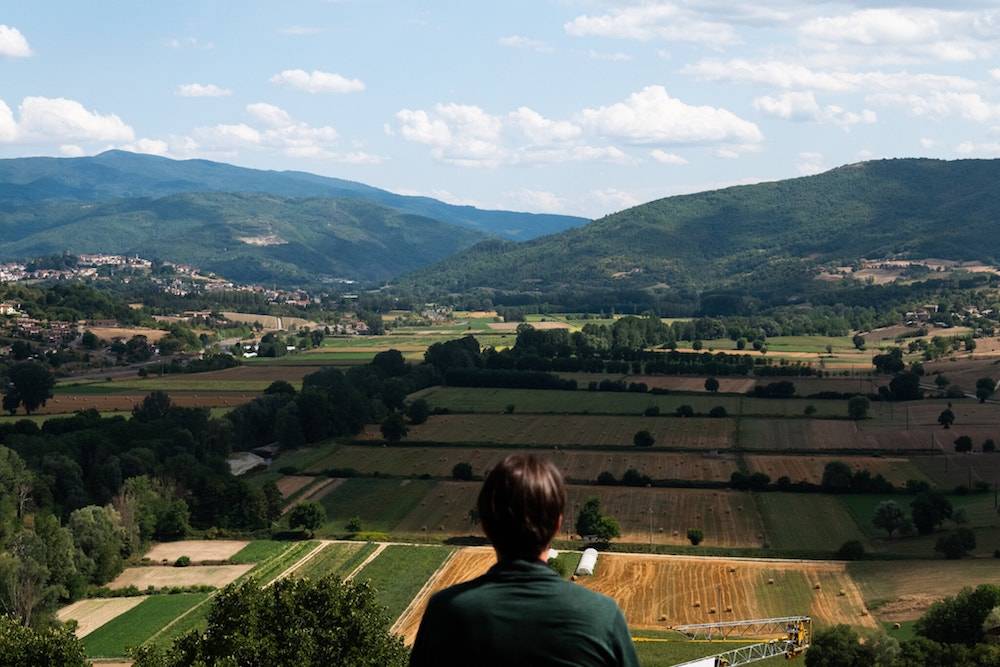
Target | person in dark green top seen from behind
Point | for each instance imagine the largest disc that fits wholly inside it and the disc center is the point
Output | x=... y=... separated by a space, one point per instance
x=521 y=613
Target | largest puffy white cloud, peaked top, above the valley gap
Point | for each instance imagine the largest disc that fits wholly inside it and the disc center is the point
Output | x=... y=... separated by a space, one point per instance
x=652 y=116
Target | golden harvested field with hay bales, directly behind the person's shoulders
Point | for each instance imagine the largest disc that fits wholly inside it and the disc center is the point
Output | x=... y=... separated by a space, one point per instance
x=656 y=592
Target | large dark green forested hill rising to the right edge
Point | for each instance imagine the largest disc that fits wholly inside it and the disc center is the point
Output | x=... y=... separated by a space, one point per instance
x=753 y=237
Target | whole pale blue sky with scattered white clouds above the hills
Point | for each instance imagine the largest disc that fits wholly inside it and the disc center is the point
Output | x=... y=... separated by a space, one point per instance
x=574 y=106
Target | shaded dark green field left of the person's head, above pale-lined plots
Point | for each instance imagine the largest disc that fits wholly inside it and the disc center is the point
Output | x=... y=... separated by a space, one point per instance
x=380 y=503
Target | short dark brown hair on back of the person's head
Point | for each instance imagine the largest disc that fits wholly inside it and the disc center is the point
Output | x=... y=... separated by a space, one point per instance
x=520 y=505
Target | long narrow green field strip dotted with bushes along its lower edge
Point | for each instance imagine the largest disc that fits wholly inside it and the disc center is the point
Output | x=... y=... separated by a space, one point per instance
x=463 y=399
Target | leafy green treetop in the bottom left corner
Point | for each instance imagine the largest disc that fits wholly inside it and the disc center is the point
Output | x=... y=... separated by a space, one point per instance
x=55 y=645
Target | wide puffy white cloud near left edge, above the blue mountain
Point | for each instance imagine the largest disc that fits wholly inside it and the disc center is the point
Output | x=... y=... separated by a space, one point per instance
x=50 y=119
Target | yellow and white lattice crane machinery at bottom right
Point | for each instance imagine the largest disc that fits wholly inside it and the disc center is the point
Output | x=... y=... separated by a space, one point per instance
x=787 y=636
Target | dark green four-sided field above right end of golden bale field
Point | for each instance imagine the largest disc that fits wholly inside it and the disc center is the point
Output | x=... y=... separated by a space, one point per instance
x=807 y=522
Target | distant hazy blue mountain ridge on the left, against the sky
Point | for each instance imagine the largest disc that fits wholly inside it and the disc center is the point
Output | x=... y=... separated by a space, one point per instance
x=120 y=174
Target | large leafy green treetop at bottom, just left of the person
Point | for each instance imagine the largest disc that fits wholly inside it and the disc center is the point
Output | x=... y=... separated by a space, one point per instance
x=295 y=621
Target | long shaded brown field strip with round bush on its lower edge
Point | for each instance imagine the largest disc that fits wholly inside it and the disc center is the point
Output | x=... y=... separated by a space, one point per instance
x=591 y=430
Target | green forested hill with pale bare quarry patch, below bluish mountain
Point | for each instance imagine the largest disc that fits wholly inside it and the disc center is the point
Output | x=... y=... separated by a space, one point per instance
x=244 y=237
